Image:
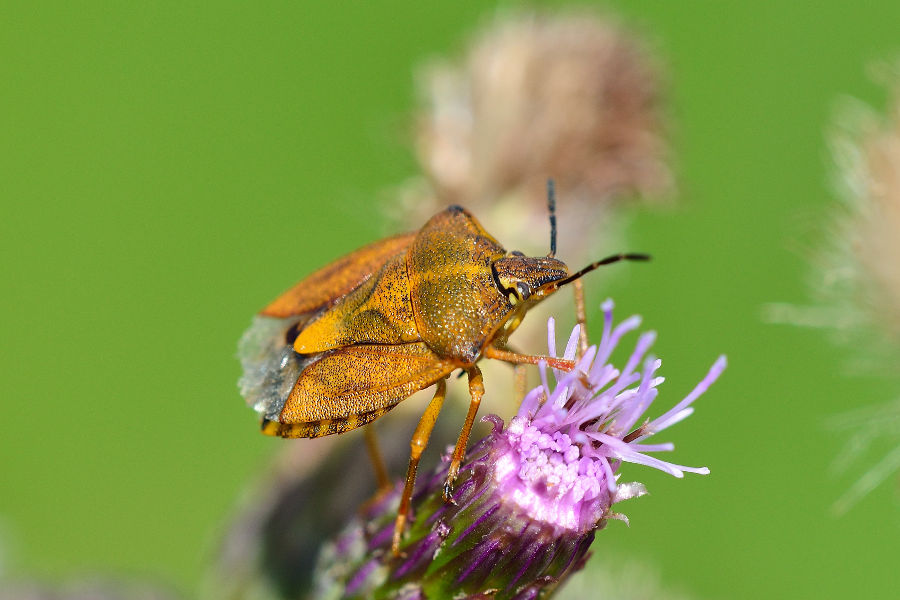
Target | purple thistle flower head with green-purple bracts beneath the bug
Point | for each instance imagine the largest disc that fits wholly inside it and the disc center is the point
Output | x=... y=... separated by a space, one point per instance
x=530 y=496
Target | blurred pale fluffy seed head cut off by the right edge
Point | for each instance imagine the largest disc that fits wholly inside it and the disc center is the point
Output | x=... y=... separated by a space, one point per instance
x=862 y=281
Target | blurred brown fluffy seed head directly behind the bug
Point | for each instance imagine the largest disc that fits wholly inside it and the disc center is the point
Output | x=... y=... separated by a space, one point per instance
x=572 y=97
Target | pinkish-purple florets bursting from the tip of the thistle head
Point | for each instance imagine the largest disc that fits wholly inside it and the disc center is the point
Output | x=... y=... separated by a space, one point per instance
x=559 y=457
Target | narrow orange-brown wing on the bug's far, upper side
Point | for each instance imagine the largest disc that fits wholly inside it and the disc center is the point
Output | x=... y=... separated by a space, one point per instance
x=330 y=283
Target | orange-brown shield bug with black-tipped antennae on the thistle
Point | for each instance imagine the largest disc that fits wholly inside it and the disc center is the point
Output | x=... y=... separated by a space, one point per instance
x=353 y=339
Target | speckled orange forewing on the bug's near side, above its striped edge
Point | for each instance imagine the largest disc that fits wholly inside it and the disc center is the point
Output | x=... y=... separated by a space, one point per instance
x=351 y=386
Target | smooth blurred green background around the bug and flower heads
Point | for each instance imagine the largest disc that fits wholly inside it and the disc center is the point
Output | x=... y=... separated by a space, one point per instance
x=168 y=168
